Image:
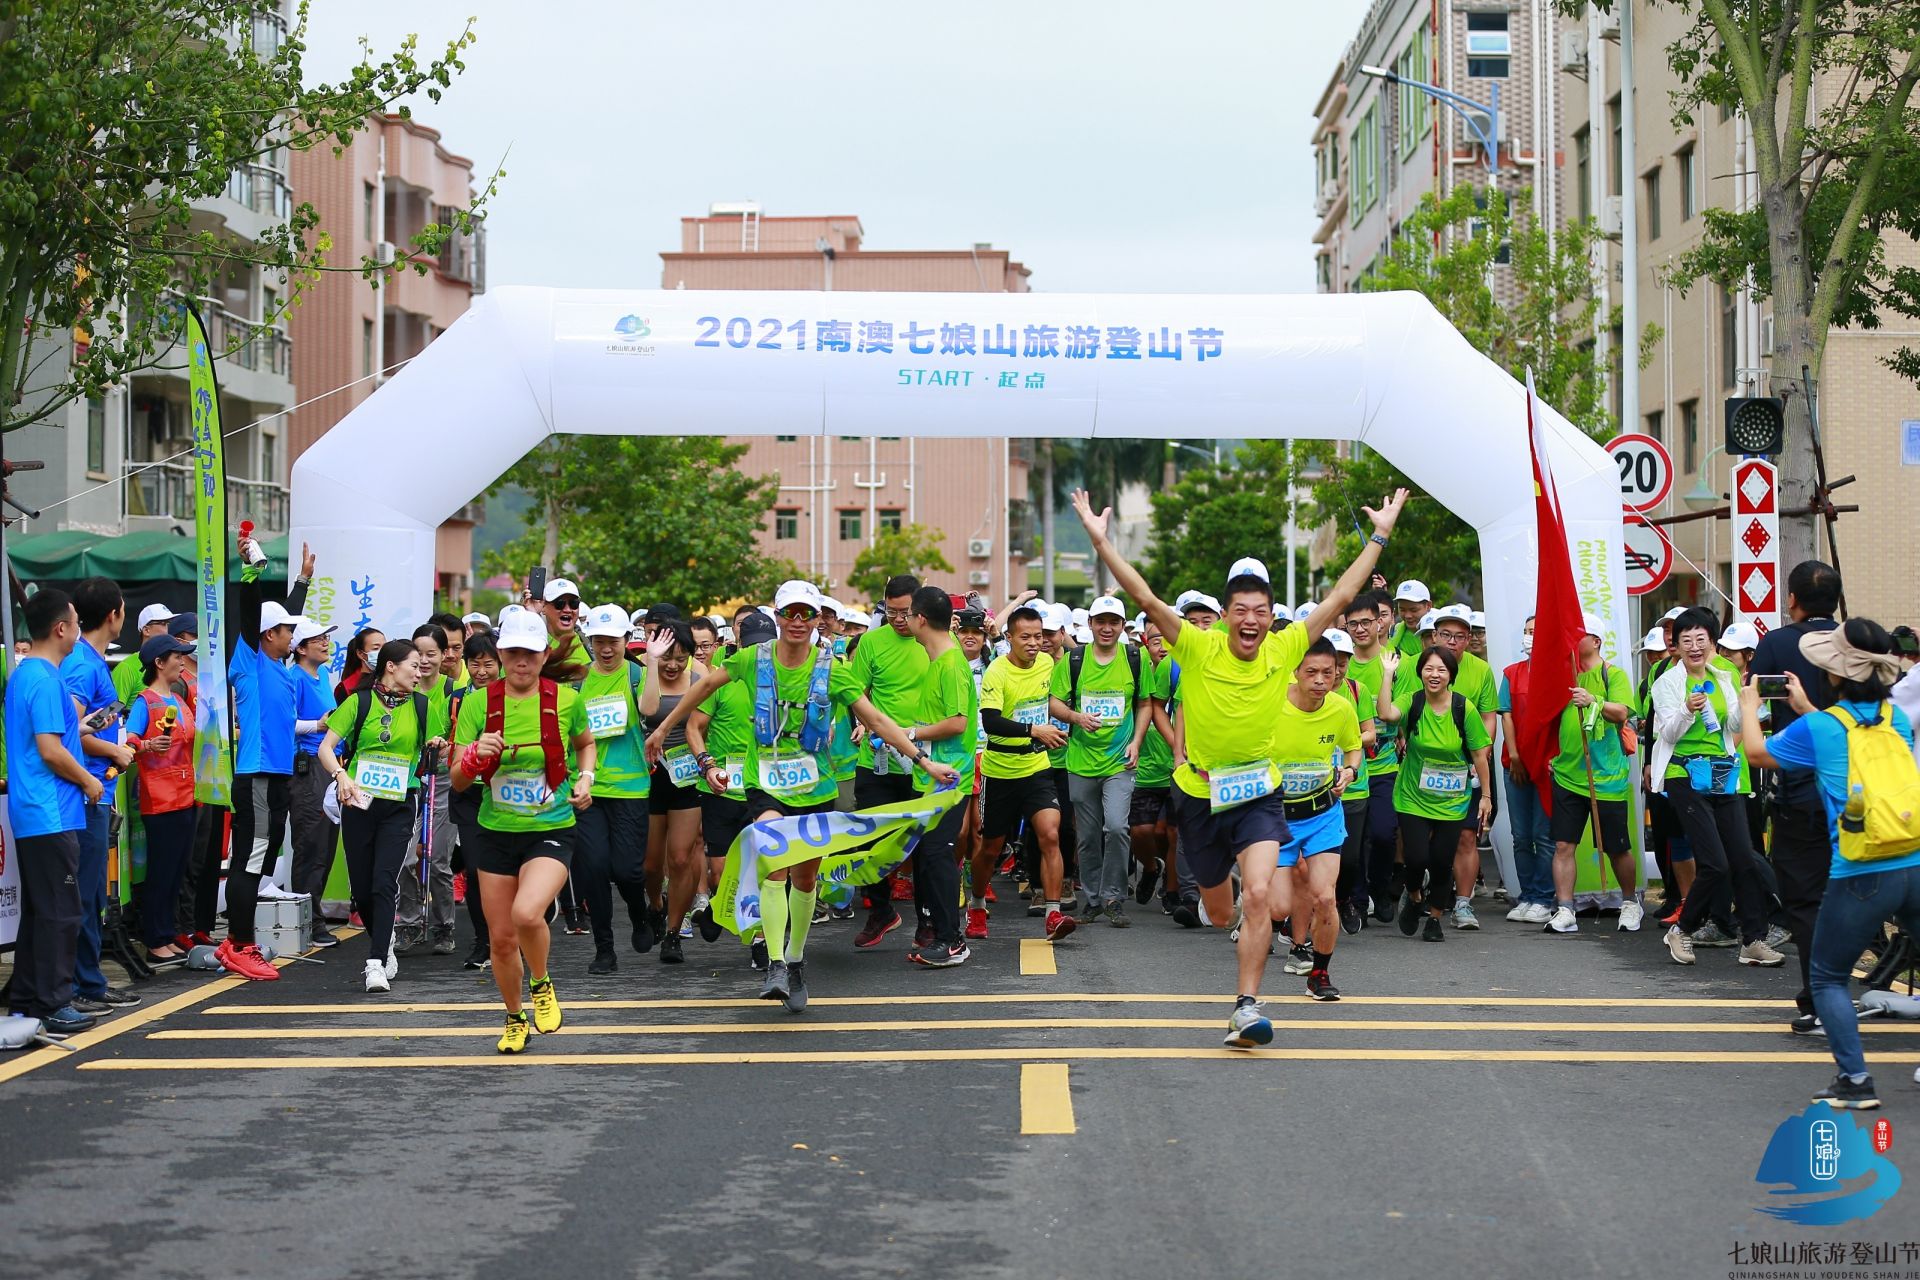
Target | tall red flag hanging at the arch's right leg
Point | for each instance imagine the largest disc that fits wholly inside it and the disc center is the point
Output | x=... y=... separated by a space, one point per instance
x=1558 y=623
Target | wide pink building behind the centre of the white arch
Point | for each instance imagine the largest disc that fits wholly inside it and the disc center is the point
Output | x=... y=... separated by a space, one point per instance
x=838 y=494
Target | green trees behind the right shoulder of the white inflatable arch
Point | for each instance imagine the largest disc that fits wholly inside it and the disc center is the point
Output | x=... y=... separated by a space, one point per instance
x=1520 y=296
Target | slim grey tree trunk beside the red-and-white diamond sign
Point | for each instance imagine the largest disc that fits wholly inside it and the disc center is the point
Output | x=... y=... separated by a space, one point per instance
x=1794 y=346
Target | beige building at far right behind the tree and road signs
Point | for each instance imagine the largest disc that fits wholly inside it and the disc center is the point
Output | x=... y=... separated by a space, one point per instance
x=1719 y=343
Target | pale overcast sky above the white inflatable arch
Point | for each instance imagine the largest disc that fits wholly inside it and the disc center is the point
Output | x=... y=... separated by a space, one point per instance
x=1109 y=147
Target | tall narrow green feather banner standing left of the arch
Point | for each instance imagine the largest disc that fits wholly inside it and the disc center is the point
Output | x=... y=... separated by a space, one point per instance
x=214 y=755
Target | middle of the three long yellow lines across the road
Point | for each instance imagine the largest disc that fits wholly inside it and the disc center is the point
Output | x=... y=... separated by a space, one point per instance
x=990 y=1024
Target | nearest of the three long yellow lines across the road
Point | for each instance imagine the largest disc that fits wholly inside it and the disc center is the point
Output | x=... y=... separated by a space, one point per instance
x=978 y=1056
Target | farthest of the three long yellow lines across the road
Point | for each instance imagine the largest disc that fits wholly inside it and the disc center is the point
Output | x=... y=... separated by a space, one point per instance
x=917 y=1001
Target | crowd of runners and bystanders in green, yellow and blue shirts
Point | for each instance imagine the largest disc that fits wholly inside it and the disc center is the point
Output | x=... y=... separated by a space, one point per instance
x=1289 y=776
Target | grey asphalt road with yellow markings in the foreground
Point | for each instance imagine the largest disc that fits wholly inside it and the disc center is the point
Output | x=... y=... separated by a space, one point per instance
x=1472 y=1108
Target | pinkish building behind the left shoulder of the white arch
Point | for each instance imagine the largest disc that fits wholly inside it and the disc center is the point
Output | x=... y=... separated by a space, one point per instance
x=373 y=199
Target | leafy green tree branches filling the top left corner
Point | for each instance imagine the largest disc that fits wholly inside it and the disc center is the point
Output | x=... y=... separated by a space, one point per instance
x=116 y=118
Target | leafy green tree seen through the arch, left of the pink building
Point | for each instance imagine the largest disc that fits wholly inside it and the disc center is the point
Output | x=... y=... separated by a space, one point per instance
x=642 y=519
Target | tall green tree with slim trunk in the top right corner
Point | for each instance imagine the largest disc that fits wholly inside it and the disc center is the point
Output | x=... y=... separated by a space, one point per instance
x=1835 y=185
